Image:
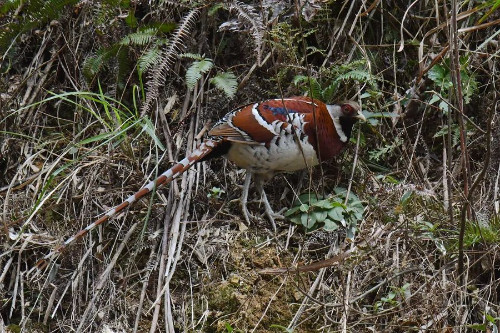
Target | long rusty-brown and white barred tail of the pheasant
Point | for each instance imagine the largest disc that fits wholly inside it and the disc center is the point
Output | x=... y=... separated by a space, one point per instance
x=197 y=155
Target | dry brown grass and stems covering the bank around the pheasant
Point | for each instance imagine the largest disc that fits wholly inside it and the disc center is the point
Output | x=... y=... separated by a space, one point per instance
x=179 y=261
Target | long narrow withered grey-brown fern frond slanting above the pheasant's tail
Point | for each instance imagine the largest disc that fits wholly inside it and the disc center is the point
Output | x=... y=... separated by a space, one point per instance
x=167 y=57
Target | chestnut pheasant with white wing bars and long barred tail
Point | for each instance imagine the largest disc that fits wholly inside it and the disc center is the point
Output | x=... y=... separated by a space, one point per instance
x=265 y=138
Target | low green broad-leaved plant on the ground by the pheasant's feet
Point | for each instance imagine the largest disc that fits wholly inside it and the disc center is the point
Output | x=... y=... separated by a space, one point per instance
x=330 y=213
